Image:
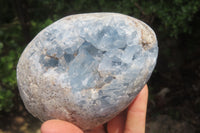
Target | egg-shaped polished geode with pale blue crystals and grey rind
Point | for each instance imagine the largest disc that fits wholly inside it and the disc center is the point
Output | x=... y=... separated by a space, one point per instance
x=86 y=68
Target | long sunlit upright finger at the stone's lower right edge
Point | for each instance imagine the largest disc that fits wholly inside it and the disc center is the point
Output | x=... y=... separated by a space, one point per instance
x=136 y=115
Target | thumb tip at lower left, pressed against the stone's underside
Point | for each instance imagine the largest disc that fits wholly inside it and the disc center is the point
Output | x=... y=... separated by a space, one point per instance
x=58 y=126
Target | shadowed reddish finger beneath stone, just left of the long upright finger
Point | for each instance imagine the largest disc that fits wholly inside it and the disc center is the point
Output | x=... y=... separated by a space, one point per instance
x=116 y=125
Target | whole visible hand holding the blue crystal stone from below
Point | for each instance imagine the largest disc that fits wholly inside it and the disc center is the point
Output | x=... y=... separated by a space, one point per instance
x=131 y=121
